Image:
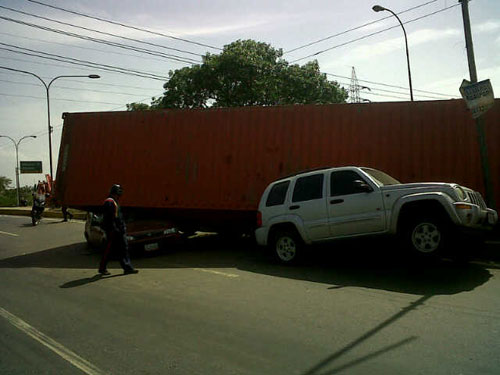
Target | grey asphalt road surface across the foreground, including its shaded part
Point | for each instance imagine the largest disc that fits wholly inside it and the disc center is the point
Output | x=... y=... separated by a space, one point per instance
x=209 y=306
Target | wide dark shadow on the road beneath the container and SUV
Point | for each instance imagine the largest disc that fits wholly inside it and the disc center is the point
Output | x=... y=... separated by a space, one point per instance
x=339 y=267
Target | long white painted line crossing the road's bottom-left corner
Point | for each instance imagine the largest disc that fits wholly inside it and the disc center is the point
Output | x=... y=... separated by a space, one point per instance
x=65 y=353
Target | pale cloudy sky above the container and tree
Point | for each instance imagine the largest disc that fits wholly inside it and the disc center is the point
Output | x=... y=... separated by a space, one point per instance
x=435 y=36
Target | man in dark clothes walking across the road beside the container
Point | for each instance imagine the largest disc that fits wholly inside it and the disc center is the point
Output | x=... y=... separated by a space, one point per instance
x=116 y=233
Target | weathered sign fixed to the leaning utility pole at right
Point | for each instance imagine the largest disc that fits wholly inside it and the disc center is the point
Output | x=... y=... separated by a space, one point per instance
x=478 y=96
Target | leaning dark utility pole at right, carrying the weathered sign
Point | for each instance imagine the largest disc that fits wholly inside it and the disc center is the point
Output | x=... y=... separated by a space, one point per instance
x=483 y=148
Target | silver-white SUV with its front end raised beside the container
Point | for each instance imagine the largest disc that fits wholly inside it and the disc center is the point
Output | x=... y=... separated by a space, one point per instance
x=332 y=203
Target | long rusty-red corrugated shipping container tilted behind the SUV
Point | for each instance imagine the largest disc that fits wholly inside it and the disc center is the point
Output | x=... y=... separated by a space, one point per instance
x=222 y=159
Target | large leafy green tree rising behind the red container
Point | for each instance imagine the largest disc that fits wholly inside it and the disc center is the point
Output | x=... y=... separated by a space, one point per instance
x=248 y=73
